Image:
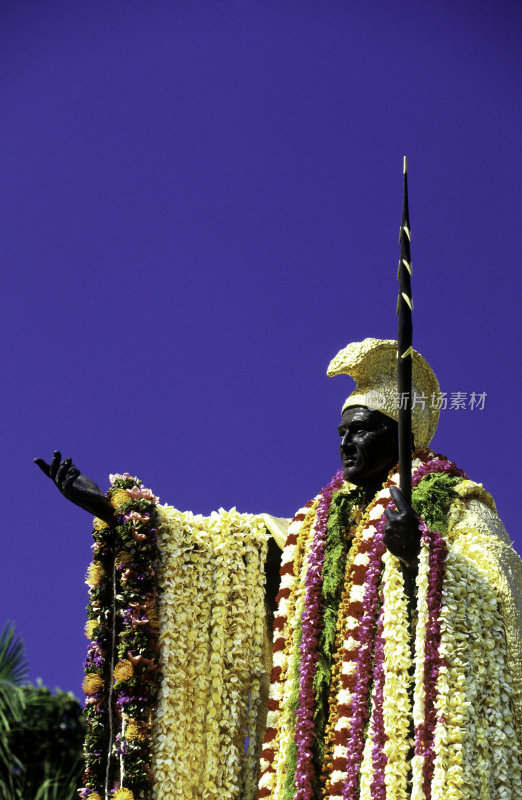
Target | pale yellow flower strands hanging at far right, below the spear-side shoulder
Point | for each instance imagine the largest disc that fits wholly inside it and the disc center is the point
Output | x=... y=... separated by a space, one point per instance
x=475 y=741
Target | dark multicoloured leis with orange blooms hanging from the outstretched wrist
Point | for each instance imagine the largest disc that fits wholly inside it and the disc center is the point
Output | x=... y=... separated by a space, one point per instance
x=122 y=666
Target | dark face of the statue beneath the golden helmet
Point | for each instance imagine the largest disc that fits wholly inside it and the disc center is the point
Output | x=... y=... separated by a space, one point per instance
x=368 y=446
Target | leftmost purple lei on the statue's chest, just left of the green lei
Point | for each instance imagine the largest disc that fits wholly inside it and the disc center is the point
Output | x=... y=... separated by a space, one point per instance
x=311 y=627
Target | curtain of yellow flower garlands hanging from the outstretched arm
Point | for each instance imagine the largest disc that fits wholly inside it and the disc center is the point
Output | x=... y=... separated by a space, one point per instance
x=211 y=635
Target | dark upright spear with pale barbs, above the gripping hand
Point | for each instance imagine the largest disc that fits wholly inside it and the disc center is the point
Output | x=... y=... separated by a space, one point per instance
x=404 y=348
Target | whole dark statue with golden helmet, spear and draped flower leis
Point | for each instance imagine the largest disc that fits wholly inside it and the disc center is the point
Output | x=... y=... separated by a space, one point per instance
x=396 y=617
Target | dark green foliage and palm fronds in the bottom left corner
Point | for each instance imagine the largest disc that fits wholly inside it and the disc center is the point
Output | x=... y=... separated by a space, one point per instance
x=40 y=732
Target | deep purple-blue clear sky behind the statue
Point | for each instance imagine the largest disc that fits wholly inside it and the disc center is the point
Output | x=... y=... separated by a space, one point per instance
x=200 y=207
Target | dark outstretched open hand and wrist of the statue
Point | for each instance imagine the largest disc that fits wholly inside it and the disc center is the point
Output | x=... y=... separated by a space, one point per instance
x=77 y=488
